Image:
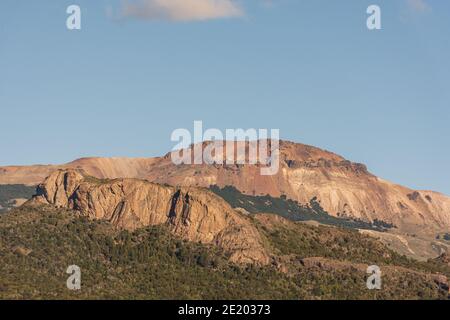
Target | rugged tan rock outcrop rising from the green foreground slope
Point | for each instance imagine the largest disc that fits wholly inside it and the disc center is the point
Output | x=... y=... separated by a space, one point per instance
x=191 y=213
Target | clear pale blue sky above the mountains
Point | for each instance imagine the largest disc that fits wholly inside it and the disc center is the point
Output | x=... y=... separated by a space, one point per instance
x=121 y=85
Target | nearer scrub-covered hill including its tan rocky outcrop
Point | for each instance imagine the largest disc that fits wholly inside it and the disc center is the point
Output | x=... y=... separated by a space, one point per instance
x=121 y=260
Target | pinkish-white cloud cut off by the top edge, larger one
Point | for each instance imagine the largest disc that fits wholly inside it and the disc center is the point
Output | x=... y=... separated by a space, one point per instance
x=182 y=10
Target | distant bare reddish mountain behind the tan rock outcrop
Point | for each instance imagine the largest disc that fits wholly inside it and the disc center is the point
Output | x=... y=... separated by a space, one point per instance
x=343 y=188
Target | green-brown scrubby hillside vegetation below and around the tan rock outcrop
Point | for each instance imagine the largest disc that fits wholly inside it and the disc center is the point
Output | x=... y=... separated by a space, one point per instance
x=37 y=244
